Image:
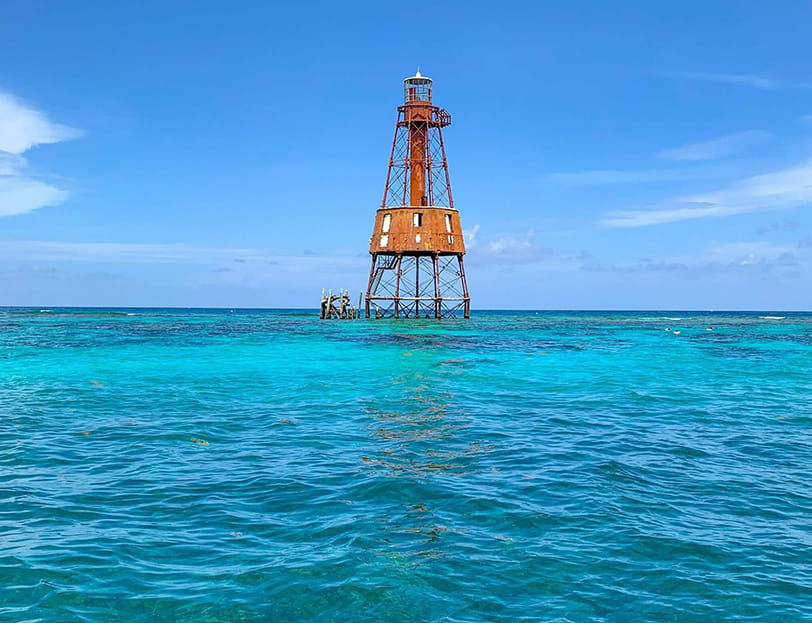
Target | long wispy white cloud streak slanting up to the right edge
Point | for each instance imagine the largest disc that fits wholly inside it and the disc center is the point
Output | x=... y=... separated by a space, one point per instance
x=787 y=188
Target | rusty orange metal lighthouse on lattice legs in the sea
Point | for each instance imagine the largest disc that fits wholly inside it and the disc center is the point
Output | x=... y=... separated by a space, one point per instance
x=417 y=245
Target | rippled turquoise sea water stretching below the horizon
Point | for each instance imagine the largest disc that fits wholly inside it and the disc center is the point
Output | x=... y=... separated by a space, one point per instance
x=205 y=465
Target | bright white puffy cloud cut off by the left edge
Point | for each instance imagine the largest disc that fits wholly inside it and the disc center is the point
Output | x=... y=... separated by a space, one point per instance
x=21 y=128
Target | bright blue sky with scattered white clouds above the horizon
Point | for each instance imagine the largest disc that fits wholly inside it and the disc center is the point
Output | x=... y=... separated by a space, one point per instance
x=623 y=155
